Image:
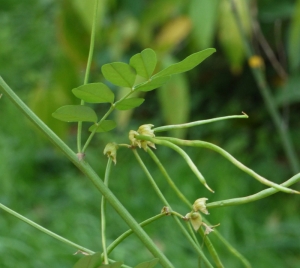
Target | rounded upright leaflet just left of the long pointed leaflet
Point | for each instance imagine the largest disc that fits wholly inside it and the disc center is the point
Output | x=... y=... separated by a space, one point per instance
x=144 y=63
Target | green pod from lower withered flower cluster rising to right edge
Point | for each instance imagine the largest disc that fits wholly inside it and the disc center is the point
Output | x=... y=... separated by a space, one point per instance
x=262 y=194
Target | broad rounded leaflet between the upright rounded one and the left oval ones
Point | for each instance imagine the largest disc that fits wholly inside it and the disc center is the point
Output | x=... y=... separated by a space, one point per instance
x=119 y=73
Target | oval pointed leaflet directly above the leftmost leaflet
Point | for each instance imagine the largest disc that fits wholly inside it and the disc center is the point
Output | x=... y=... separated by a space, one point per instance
x=94 y=93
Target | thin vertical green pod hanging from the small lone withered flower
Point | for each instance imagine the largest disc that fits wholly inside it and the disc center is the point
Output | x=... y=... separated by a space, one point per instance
x=103 y=206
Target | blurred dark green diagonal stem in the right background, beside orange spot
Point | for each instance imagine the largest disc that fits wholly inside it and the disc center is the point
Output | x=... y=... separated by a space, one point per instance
x=268 y=98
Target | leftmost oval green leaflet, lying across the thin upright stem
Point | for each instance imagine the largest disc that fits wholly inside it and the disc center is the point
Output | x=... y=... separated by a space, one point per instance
x=75 y=113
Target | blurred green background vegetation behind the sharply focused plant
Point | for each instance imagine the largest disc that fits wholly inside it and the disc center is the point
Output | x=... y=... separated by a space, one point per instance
x=43 y=52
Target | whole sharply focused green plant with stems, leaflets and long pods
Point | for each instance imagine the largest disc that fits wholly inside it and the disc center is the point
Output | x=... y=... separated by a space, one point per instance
x=140 y=76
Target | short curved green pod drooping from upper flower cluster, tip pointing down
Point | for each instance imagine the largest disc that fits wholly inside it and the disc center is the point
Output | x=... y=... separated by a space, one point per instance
x=184 y=155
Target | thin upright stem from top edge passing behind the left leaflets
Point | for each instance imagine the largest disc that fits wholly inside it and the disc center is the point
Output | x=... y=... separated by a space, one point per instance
x=88 y=68
